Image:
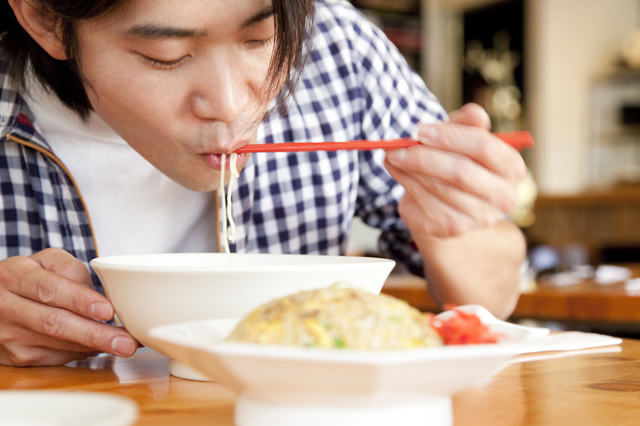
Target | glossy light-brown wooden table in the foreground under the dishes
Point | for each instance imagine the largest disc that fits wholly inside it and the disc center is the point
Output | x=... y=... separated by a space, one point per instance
x=594 y=387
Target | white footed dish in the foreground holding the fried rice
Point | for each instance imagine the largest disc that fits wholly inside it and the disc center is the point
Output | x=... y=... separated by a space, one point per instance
x=287 y=386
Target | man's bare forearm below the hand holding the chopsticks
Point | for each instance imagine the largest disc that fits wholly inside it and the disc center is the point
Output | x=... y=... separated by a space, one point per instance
x=480 y=267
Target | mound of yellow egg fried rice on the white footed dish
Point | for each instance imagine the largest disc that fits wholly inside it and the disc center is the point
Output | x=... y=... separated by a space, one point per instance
x=338 y=318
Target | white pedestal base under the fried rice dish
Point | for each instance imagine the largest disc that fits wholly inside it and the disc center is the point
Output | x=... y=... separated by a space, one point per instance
x=431 y=410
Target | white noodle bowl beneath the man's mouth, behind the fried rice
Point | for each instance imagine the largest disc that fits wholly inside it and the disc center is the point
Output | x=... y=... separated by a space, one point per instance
x=158 y=289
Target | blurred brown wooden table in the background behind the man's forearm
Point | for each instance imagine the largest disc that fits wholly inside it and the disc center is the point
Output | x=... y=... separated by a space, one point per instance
x=584 y=302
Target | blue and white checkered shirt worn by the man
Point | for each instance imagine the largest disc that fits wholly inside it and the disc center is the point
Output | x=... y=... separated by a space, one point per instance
x=355 y=85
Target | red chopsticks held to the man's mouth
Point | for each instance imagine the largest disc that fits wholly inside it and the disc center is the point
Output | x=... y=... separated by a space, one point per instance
x=519 y=140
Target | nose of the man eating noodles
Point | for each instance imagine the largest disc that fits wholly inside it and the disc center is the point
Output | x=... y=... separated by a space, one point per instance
x=222 y=91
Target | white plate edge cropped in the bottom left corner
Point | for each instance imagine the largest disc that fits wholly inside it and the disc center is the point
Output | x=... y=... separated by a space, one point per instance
x=53 y=408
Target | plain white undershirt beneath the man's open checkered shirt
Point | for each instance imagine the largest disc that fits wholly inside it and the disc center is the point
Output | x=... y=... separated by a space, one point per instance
x=134 y=209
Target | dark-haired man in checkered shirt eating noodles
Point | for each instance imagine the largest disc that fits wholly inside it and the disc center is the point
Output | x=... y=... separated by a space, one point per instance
x=131 y=104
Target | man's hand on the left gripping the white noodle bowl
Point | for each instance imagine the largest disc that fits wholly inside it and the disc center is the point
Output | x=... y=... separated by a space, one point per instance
x=50 y=314
